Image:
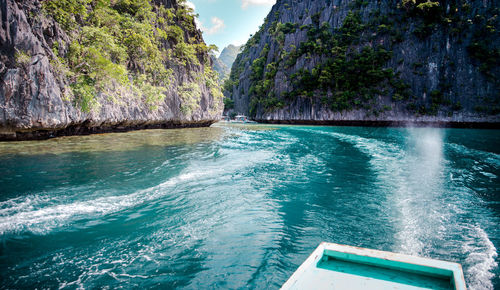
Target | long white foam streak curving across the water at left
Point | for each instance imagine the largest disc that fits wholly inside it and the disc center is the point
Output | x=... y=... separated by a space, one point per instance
x=21 y=214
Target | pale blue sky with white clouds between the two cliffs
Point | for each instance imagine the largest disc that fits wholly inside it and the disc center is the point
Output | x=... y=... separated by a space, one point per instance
x=225 y=22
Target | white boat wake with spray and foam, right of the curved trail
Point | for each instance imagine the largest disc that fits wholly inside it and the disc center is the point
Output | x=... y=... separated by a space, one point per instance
x=432 y=213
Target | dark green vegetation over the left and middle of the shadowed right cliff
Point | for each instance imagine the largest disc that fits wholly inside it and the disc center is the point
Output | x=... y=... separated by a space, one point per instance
x=349 y=76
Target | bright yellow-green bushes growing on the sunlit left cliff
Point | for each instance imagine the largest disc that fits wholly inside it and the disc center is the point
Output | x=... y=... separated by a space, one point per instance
x=129 y=46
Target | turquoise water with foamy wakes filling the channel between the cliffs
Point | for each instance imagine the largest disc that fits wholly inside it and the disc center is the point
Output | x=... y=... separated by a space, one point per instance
x=242 y=206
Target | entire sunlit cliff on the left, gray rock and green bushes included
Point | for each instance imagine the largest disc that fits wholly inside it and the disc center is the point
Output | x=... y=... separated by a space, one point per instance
x=97 y=66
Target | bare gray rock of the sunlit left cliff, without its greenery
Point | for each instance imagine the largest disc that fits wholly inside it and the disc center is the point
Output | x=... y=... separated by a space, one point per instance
x=32 y=95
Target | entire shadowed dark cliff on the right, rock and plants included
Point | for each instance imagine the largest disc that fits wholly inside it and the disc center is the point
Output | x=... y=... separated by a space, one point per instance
x=372 y=60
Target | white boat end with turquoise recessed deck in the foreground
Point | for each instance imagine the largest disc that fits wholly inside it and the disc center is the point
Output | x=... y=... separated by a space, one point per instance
x=334 y=266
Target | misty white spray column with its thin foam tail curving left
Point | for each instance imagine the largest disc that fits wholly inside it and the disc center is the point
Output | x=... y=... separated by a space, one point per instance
x=411 y=179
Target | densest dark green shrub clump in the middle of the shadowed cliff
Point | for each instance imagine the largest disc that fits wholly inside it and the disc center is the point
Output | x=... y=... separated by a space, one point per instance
x=348 y=77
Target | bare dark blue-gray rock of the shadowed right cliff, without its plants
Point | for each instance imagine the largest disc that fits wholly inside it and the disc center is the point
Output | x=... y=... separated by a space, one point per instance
x=444 y=58
